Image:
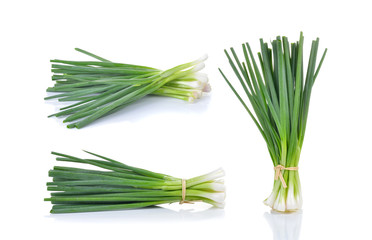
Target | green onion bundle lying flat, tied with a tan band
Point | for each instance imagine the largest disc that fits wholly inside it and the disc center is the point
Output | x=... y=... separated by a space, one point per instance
x=117 y=186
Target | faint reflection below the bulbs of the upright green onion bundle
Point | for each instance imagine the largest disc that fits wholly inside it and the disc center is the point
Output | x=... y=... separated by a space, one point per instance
x=285 y=226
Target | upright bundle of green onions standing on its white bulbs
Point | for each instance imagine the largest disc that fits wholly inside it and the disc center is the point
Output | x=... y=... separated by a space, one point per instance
x=279 y=94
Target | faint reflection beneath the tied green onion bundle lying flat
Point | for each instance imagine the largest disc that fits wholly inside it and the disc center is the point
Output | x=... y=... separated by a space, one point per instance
x=155 y=214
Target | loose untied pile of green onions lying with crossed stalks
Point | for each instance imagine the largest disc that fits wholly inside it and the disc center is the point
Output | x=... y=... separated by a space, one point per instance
x=99 y=88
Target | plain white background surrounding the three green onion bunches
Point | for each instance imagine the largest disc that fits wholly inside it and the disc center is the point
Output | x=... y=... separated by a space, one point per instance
x=179 y=138
